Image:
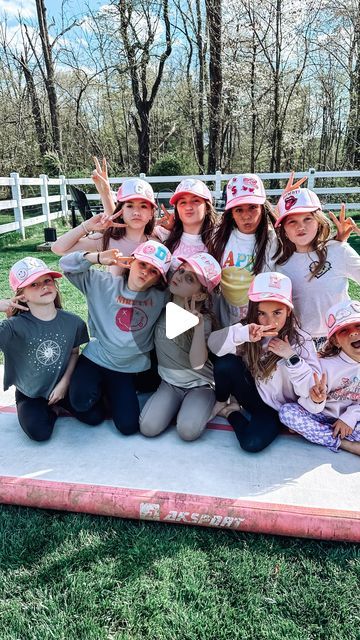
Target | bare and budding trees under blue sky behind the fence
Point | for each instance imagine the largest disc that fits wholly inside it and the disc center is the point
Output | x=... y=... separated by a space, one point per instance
x=179 y=86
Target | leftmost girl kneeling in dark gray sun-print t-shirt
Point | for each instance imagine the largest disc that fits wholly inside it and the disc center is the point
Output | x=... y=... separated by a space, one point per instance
x=40 y=342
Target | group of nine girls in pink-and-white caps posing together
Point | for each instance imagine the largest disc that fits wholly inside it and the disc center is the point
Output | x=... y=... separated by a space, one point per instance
x=269 y=290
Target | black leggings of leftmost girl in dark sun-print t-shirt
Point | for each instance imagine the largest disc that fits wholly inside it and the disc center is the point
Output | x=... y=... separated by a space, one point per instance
x=37 y=417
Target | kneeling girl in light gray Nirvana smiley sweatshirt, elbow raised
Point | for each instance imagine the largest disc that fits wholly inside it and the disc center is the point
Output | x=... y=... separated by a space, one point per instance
x=122 y=314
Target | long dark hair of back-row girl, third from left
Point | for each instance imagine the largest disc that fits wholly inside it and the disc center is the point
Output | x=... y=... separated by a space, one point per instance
x=226 y=226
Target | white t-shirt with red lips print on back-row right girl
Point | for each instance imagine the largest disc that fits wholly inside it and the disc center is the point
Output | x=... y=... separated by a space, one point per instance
x=313 y=298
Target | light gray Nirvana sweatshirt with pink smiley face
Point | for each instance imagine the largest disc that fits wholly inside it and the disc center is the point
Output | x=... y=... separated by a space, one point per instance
x=121 y=321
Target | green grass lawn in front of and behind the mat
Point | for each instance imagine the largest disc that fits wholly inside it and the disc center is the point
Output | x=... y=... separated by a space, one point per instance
x=75 y=577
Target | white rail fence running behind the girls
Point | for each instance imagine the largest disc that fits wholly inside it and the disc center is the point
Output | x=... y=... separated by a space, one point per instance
x=18 y=202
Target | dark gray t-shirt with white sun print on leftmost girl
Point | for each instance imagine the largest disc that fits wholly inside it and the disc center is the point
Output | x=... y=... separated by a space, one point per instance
x=37 y=352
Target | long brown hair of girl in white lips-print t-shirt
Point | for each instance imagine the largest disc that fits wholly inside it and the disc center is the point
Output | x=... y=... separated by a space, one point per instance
x=286 y=248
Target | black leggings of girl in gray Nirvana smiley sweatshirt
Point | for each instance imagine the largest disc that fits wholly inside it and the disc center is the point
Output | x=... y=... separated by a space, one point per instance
x=90 y=382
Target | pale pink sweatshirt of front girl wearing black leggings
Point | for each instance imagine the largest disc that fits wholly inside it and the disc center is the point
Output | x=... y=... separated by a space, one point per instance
x=288 y=382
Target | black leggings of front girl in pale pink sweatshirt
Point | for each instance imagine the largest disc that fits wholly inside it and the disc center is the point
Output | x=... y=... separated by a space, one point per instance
x=233 y=378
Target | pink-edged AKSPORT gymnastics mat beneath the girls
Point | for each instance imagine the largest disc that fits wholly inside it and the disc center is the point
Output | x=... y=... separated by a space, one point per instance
x=292 y=488
